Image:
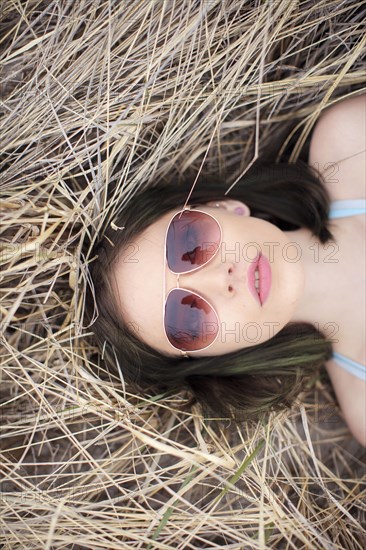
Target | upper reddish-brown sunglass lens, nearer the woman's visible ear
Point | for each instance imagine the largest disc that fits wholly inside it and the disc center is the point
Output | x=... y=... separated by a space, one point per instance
x=192 y=239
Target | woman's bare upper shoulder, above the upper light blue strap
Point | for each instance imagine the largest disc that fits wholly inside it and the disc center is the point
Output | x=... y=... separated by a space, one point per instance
x=337 y=148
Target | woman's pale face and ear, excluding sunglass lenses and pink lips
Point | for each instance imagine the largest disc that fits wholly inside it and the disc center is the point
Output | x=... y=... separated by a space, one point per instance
x=142 y=281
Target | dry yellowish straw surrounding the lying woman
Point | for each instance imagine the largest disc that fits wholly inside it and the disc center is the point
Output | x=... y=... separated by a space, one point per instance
x=140 y=92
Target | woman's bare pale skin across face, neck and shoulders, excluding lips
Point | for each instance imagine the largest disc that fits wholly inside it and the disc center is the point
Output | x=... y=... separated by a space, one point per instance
x=325 y=285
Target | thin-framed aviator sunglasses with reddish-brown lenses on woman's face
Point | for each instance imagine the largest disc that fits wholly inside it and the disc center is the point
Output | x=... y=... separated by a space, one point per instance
x=192 y=240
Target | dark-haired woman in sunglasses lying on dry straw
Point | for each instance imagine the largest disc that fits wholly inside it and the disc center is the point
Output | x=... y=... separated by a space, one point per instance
x=240 y=298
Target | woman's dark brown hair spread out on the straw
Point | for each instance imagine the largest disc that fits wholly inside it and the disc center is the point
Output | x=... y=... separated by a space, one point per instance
x=244 y=384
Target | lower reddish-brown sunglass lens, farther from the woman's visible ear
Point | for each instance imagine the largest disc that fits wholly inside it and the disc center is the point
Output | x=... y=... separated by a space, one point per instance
x=190 y=322
